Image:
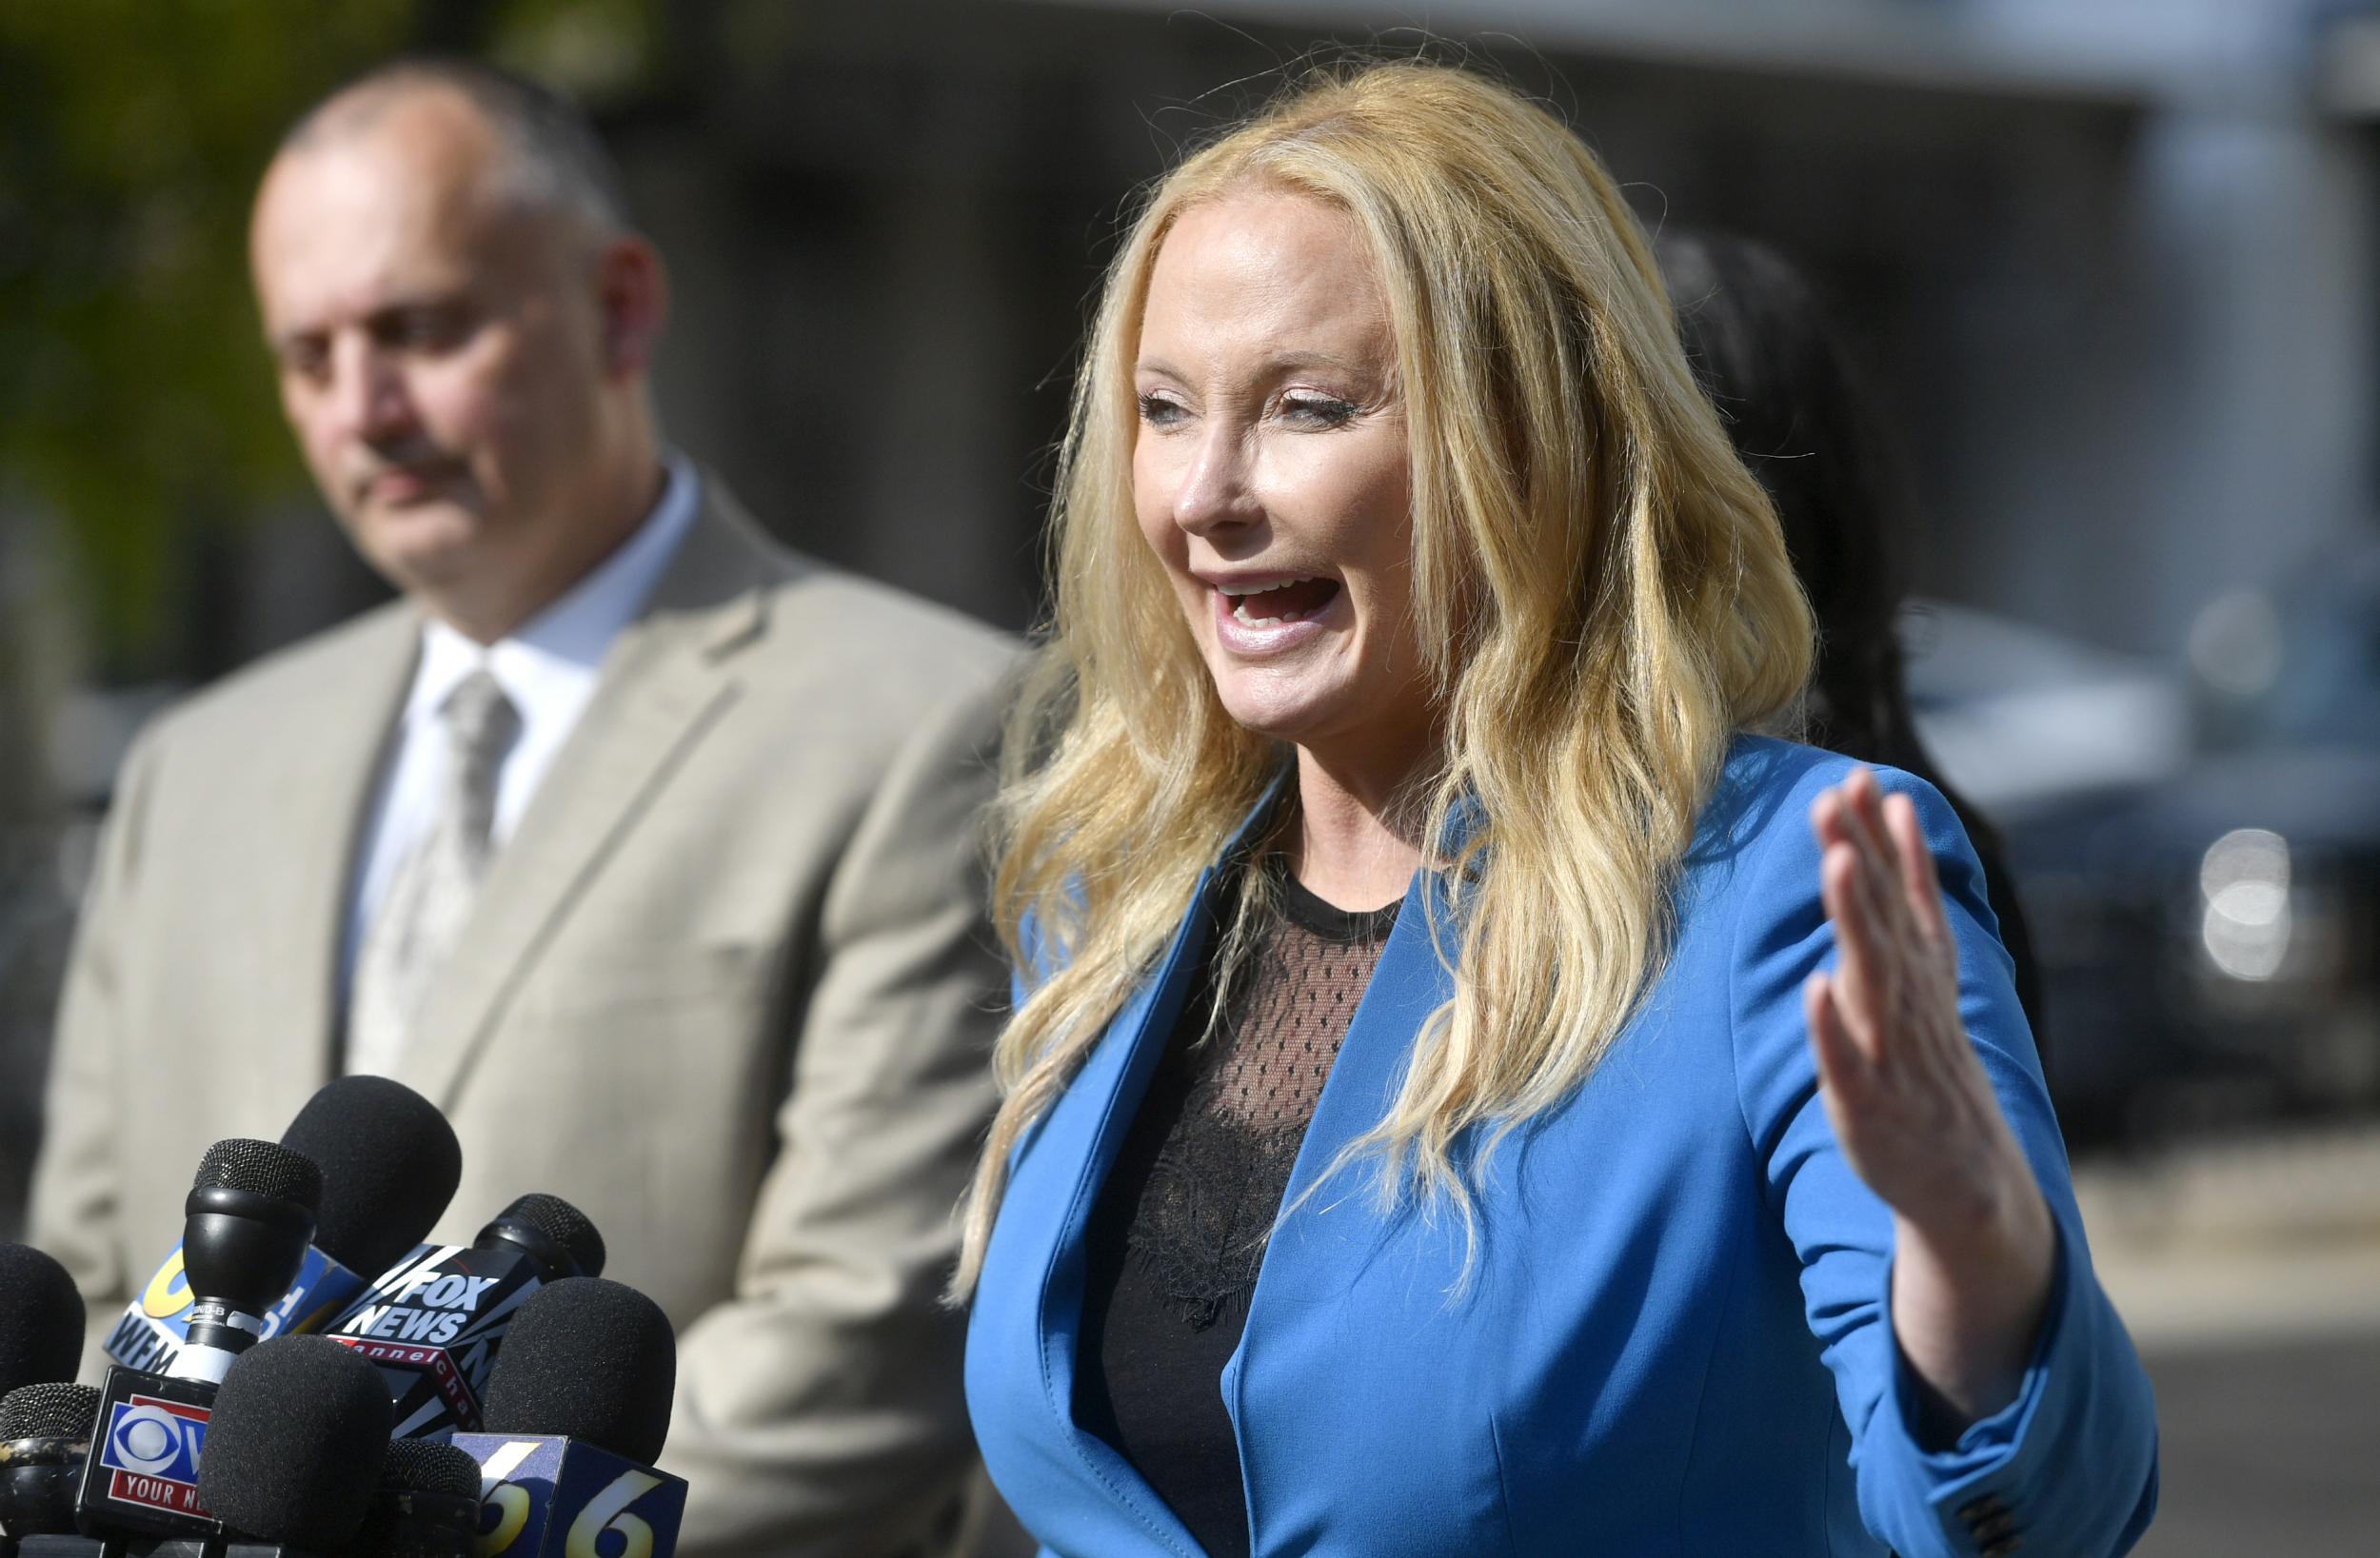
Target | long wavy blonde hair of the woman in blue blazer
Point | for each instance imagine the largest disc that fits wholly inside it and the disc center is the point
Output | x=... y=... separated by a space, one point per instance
x=1601 y=593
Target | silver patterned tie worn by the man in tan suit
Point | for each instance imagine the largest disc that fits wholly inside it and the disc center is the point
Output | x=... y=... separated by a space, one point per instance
x=430 y=893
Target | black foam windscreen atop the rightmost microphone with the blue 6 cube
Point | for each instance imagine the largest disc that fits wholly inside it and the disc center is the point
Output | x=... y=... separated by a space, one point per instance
x=587 y=1359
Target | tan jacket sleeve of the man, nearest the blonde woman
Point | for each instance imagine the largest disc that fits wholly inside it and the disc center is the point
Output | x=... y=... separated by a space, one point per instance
x=820 y=1412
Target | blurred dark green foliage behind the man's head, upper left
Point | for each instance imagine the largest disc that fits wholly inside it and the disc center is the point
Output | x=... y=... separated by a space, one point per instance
x=134 y=394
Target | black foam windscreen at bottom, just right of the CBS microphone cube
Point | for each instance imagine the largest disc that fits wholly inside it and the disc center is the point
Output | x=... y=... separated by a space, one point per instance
x=296 y=1443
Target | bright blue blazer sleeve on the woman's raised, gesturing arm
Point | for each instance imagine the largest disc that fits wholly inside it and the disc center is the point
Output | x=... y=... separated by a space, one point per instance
x=2072 y=1464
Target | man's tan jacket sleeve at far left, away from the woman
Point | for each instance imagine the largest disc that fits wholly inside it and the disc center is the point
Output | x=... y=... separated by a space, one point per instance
x=75 y=1198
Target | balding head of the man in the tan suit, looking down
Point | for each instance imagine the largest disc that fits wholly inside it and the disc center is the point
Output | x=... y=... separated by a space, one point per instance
x=463 y=348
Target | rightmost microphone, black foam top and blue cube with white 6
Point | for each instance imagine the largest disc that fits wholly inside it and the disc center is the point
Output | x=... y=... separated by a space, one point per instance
x=577 y=1412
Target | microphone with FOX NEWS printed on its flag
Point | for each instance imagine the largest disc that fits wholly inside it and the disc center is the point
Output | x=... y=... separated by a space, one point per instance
x=439 y=1319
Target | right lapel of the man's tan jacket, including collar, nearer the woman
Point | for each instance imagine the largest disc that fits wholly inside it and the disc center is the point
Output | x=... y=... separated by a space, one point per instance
x=663 y=686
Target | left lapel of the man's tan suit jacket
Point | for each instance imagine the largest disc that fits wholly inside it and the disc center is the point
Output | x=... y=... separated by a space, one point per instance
x=318 y=810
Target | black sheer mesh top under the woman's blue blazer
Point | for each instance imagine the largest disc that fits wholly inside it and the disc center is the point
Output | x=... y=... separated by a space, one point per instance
x=1182 y=1224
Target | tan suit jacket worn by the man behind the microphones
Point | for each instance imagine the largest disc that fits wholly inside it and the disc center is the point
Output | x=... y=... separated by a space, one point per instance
x=727 y=991
